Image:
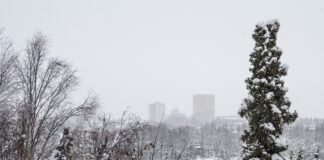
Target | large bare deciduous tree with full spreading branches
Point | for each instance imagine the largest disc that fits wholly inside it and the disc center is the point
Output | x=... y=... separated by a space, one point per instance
x=45 y=84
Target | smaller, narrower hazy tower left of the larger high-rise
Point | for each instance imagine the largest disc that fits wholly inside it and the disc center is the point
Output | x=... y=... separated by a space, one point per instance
x=156 y=112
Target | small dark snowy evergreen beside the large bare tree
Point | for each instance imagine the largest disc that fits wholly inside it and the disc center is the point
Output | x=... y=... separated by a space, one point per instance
x=64 y=150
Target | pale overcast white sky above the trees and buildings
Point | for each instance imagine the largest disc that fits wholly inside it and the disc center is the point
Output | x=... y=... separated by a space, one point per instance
x=135 y=52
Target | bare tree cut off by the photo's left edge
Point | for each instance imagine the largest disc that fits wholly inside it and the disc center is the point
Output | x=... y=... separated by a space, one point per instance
x=7 y=96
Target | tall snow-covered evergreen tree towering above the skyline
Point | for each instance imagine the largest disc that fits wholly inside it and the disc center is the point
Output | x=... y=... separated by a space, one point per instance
x=267 y=107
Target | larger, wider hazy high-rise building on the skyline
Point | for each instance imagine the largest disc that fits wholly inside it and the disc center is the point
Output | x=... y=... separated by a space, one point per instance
x=203 y=107
